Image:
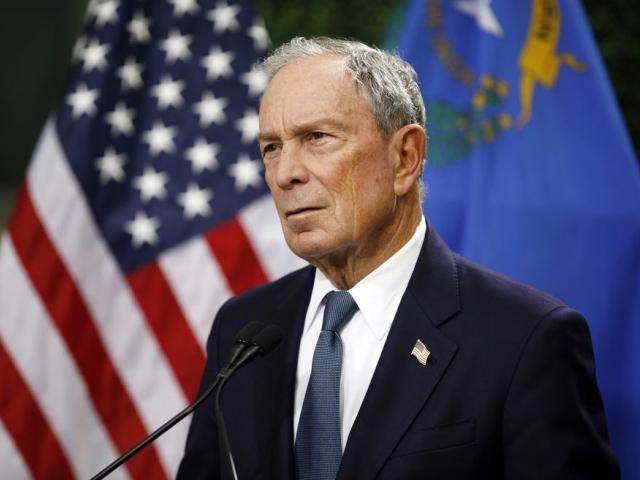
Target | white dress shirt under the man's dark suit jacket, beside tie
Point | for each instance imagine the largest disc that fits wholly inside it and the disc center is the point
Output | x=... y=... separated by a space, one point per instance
x=378 y=296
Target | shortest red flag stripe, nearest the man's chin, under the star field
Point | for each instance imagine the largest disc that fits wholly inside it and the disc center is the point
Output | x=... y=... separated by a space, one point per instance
x=235 y=255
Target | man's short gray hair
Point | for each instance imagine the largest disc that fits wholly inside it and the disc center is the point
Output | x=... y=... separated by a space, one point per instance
x=385 y=81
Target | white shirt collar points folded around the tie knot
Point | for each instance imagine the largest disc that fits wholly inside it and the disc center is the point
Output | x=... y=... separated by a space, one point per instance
x=379 y=293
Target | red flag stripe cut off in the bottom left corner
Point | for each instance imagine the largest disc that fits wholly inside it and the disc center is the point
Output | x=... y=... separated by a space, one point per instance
x=28 y=426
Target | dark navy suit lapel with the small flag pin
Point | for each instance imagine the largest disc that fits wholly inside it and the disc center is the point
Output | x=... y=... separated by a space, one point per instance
x=401 y=386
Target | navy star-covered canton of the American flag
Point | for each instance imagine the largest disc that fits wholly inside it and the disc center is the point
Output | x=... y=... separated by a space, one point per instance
x=163 y=96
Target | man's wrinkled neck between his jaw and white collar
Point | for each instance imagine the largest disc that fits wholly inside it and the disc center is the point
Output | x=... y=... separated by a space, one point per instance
x=345 y=269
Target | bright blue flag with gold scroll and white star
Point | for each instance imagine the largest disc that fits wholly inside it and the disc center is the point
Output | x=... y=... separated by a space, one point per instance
x=531 y=171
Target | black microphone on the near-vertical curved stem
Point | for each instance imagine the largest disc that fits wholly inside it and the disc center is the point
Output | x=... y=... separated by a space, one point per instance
x=262 y=343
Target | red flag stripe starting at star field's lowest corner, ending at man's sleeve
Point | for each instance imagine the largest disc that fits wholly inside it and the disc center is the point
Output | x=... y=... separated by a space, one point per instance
x=166 y=319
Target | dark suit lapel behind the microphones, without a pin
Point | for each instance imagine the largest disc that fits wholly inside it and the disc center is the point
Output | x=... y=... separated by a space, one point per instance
x=278 y=376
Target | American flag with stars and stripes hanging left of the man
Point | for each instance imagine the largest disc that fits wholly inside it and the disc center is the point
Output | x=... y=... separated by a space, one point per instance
x=143 y=209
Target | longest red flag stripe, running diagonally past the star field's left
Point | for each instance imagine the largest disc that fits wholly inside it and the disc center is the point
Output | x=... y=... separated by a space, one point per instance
x=69 y=312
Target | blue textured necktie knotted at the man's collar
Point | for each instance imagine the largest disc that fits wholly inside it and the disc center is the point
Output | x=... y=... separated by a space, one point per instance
x=318 y=442
